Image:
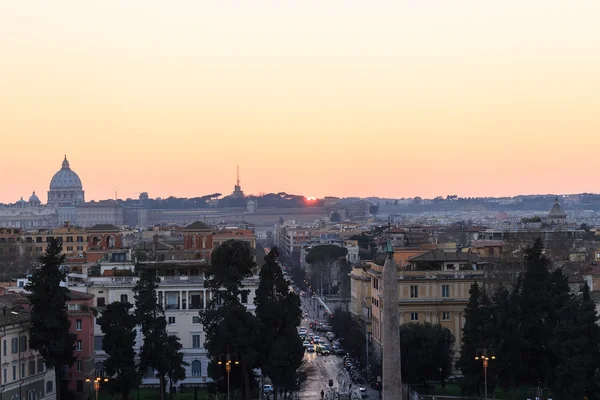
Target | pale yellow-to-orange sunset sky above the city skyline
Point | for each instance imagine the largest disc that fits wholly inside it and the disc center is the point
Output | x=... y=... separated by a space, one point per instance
x=345 y=98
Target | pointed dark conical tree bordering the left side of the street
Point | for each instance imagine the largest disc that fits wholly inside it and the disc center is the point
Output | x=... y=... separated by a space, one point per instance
x=279 y=313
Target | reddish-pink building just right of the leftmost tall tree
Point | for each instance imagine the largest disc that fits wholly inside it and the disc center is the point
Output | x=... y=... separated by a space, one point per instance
x=80 y=307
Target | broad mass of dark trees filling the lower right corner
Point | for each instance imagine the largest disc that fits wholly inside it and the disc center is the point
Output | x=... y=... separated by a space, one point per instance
x=540 y=333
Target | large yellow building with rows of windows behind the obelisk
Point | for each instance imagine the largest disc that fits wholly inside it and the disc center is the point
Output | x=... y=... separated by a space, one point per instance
x=434 y=288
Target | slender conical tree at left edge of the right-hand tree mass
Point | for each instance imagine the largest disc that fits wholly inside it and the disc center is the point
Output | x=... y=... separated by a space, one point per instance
x=471 y=341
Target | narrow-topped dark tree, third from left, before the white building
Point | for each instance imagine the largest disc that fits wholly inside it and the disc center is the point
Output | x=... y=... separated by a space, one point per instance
x=159 y=350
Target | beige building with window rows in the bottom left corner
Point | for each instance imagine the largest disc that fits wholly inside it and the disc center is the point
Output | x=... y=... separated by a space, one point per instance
x=24 y=375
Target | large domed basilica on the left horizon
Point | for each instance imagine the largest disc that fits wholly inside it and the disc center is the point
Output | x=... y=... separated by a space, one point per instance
x=66 y=192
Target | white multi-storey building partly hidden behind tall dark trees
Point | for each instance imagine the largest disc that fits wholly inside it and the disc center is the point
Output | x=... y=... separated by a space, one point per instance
x=182 y=293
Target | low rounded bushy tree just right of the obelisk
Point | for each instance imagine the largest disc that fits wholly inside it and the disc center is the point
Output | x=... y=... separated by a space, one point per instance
x=426 y=349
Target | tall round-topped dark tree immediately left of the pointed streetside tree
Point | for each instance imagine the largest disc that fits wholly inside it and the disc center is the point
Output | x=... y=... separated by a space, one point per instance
x=229 y=327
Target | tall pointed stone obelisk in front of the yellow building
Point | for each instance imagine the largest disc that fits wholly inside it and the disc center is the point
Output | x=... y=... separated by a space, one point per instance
x=390 y=329
